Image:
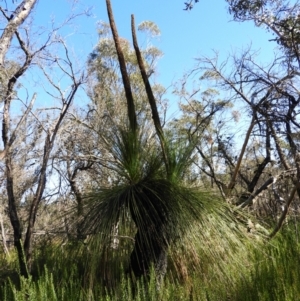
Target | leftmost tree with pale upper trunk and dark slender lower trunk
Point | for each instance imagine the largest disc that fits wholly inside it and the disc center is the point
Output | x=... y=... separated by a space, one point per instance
x=11 y=23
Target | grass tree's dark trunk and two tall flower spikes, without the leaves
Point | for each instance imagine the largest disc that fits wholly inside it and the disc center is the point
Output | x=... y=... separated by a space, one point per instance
x=150 y=240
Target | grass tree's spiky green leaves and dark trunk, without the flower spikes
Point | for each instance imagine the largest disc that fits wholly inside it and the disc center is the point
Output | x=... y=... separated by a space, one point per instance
x=161 y=205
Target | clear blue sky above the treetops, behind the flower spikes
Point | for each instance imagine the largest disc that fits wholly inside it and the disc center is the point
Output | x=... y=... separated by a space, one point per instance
x=185 y=35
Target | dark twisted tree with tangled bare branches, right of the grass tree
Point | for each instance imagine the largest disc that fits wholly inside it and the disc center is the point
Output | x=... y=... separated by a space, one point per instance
x=270 y=99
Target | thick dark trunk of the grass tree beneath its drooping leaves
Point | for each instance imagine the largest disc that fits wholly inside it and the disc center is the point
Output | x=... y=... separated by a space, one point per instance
x=152 y=239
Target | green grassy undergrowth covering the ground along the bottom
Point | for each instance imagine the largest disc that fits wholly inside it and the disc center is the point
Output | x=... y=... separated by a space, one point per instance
x=261 y=271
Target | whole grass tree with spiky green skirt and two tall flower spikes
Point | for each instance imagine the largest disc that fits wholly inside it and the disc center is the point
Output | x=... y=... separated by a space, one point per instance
x=148 y=188
